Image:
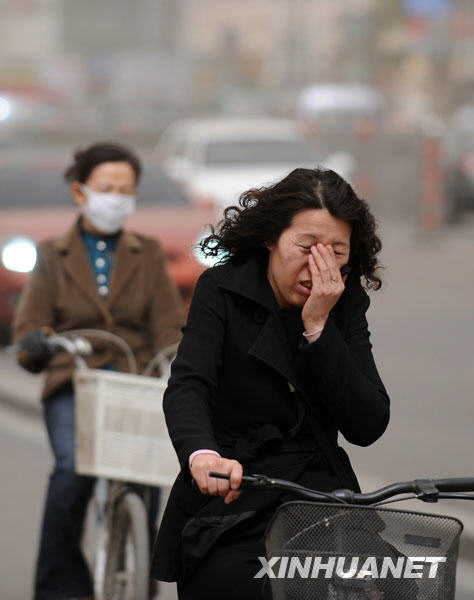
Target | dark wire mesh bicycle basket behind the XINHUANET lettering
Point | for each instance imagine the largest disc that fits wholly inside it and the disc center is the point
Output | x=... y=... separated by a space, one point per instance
x=343 y=552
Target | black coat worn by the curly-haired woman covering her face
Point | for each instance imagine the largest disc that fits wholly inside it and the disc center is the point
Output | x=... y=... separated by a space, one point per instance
x=229 y=392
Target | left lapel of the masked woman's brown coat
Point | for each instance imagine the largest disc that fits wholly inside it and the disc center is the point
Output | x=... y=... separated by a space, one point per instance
x=76 y=263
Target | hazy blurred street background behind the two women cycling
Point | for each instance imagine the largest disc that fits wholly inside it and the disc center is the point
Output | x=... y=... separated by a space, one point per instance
x=220 y=95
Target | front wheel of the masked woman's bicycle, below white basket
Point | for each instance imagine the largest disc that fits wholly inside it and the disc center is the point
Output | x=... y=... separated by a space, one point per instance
x=126 y=571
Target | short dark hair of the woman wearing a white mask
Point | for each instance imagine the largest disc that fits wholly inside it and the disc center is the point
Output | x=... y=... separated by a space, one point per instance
x=85 y=160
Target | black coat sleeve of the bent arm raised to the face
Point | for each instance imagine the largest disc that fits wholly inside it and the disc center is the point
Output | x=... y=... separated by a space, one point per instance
x=344 y=376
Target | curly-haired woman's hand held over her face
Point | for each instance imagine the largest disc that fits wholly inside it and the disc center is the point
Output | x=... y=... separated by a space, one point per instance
x=327 y=287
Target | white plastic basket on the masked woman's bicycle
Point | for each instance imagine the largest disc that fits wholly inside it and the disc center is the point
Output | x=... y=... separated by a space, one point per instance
x=120 y=428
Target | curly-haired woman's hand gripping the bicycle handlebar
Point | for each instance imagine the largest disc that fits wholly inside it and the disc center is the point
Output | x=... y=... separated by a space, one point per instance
x=204 y=463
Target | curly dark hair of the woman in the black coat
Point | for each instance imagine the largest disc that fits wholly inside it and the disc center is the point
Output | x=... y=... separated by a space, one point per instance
x=264 y=213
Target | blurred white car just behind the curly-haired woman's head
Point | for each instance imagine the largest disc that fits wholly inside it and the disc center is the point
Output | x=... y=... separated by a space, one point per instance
x=215 y=160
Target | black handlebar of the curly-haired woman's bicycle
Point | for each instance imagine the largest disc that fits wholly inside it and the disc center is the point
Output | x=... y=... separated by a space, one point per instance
x=428 y=490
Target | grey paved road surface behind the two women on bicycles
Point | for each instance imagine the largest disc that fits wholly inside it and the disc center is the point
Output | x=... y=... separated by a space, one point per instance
x=423 y=336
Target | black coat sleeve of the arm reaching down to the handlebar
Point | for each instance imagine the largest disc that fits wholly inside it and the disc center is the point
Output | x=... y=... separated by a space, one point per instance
x=191 y=390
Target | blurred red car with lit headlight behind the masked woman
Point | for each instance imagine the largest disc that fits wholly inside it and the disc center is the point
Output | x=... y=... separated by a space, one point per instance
x=35 y=204
